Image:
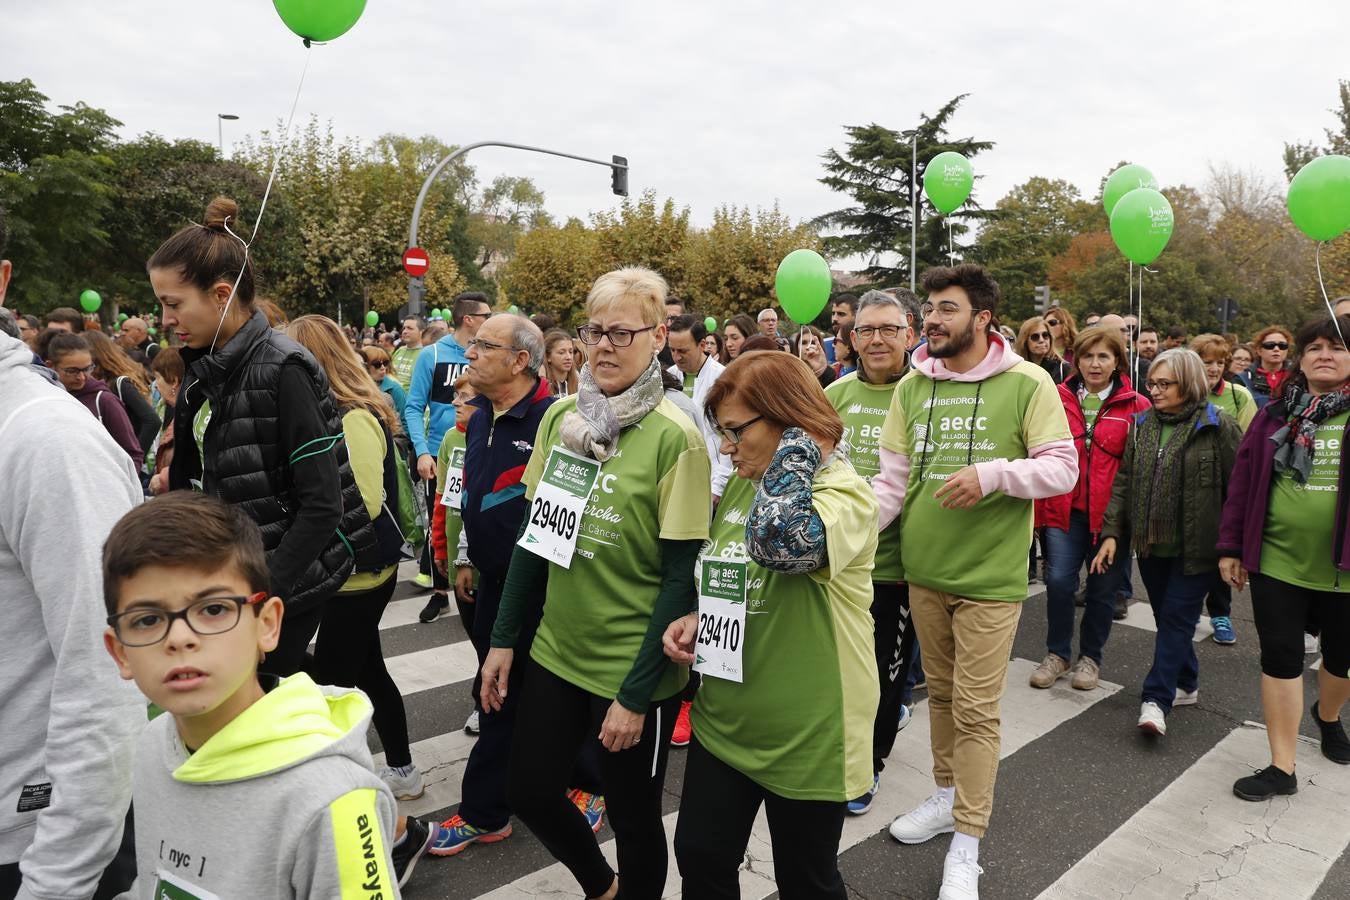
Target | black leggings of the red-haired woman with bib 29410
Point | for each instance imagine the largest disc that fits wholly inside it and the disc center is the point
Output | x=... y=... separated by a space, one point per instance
x=716 y=816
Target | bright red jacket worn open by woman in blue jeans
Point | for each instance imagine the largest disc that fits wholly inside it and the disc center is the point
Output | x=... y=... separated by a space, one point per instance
x=1100 y=461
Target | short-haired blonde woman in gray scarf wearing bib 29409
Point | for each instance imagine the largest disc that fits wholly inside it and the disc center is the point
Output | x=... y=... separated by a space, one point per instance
x=620 y=500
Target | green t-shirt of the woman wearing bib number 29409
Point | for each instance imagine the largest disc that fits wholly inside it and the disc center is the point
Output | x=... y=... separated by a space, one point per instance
x=597 y=613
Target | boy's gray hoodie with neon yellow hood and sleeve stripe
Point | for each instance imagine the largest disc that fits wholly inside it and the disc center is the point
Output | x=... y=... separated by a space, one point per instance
x=280 y=804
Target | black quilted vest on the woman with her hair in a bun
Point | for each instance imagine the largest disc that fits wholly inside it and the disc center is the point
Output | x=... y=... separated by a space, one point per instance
x=248 y=468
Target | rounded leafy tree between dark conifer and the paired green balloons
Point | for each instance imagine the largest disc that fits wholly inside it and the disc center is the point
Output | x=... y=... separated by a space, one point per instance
x=1028 y=229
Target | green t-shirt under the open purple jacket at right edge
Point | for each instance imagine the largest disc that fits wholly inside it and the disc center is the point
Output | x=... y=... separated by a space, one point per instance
x=1298 y=544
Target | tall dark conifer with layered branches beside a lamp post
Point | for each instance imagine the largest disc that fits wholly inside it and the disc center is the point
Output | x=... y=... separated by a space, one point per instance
x=874 y=171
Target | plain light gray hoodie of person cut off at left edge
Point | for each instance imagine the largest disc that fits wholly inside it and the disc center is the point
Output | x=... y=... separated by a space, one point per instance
x=67 y=720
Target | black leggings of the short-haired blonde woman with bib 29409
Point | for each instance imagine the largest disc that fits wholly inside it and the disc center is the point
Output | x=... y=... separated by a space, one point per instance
x=553 y=725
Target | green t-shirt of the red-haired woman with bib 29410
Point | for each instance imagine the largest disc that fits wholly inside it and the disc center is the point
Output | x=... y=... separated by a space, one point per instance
x=801 y=723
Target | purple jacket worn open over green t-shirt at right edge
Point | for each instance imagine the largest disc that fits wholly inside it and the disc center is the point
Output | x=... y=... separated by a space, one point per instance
x=1243 y=527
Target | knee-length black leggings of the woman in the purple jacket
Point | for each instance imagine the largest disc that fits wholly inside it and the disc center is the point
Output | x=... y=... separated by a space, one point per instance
x=1285 y=612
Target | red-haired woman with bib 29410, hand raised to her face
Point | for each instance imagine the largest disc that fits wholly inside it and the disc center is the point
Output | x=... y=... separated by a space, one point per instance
x=782 y=636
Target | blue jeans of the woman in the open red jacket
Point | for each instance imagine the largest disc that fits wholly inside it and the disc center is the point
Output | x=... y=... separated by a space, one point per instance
x=1064 y=557
